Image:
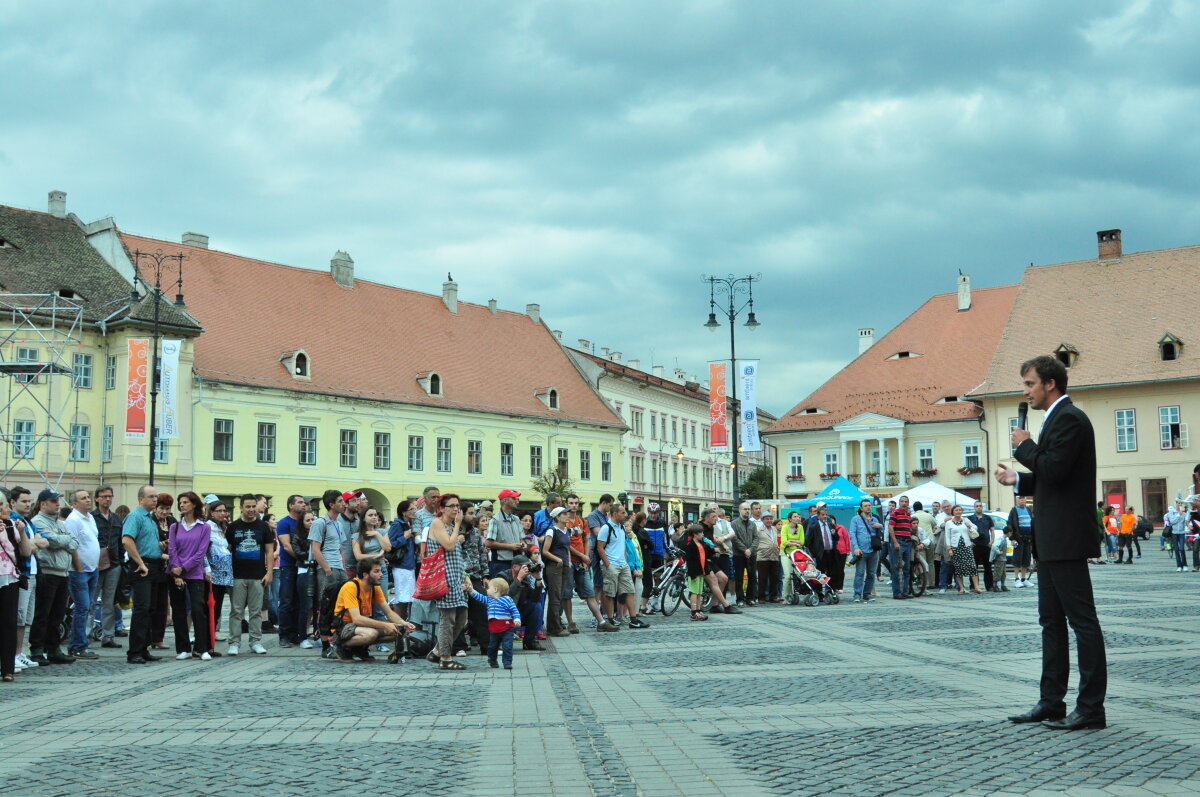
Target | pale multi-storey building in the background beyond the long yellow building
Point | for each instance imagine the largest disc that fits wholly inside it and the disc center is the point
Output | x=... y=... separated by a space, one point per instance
x=667 y=447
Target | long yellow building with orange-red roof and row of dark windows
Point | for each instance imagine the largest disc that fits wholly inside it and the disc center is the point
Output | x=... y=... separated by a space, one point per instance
x=310 y=380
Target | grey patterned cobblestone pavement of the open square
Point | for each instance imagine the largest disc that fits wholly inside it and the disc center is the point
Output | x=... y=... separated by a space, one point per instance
x=892 y=698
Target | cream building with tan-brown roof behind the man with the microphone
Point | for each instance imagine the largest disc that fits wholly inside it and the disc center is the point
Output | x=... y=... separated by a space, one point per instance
x=1129 y=333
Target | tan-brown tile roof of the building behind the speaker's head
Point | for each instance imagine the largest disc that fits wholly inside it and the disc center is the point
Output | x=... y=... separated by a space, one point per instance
x=1114 y=313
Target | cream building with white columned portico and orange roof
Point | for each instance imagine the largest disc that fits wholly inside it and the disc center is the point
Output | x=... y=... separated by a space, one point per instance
x=899 y=416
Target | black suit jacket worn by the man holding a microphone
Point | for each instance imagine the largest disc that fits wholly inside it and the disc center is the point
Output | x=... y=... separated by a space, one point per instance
x=1063 y=481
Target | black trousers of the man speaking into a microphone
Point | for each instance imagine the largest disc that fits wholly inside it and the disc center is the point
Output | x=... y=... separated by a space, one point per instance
x=1065 y=596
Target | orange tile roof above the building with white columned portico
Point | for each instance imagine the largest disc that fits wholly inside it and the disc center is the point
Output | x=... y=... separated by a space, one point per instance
x=956 y=351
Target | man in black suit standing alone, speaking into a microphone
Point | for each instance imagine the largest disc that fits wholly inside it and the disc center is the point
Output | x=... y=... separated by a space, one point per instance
x=1063 y=478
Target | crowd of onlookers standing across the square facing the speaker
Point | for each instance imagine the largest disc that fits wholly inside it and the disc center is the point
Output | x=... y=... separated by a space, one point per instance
x=335 y=574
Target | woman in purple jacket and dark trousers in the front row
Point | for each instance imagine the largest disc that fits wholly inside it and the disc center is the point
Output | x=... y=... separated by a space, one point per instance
x=188 y=547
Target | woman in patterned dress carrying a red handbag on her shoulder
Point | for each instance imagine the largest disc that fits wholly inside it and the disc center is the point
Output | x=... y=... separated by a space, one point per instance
x=441 y=580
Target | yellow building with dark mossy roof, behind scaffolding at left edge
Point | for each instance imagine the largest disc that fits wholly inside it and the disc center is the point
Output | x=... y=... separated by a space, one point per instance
x=67 y=317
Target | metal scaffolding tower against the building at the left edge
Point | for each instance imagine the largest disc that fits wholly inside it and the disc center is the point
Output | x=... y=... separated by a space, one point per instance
x=40 y=335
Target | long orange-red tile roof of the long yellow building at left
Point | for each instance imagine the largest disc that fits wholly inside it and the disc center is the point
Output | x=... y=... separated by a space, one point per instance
x=371 y=341
